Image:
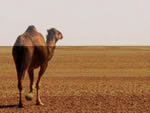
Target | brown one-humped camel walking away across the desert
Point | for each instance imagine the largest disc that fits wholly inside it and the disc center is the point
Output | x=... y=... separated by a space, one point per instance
x=30 y=51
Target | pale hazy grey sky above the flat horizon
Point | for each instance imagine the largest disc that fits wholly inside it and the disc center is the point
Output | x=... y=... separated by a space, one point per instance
x=82 y=22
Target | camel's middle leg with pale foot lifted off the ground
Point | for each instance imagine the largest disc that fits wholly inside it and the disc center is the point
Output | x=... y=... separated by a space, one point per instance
x=29 y=96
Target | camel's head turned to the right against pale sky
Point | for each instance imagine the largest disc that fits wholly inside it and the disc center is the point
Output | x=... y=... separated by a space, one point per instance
x=54 y=34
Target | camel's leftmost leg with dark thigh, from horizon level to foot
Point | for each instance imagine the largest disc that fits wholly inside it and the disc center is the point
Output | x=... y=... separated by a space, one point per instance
x=22 y=56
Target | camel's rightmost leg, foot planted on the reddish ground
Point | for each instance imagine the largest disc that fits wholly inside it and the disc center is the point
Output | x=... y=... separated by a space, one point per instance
x=42 y=70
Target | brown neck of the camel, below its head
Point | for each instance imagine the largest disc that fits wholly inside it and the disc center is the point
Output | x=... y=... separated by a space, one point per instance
x=51 y=47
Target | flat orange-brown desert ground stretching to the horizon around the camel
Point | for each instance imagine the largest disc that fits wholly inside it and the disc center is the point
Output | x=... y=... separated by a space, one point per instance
x=83 y=79
